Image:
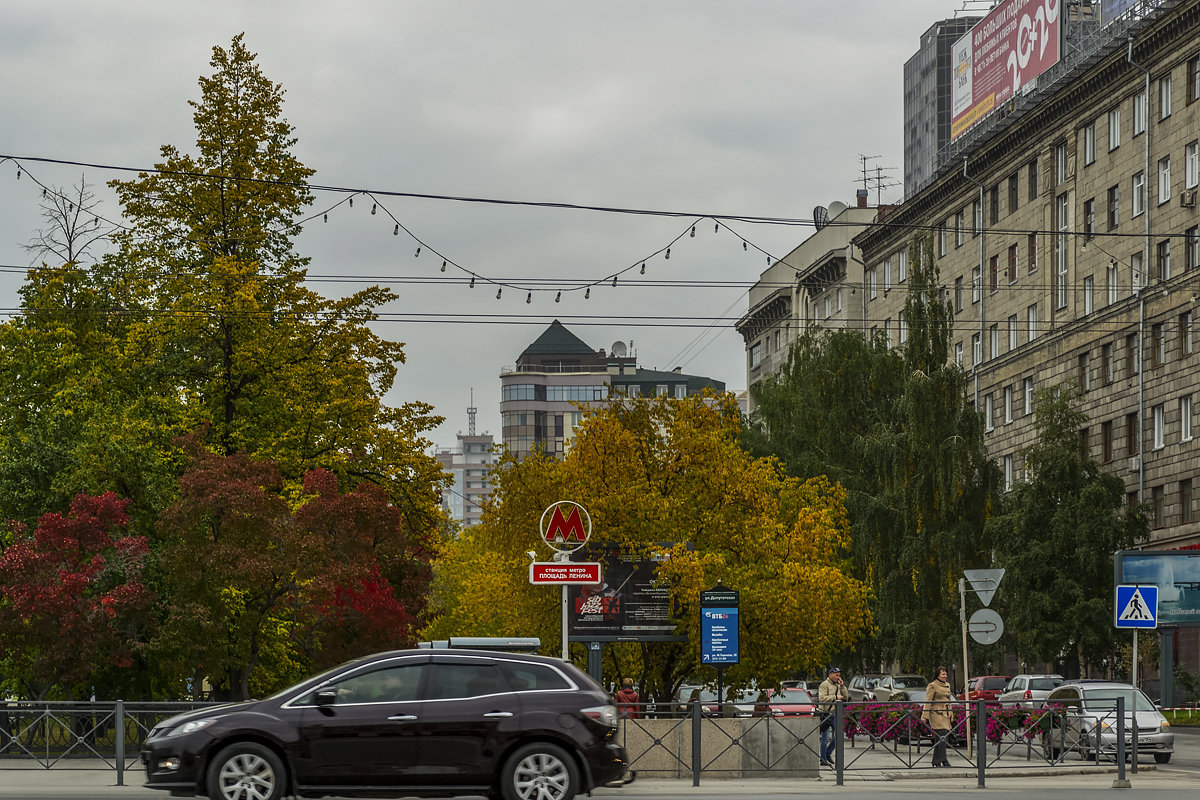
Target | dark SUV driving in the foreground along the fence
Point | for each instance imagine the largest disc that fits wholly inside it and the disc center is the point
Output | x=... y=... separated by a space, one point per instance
x=404 y=724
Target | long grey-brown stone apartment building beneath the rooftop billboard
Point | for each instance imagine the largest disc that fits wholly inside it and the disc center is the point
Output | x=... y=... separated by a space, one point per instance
x=1066 y=238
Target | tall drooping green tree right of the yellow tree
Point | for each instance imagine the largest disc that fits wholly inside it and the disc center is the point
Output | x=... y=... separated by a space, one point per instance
x=897 y=429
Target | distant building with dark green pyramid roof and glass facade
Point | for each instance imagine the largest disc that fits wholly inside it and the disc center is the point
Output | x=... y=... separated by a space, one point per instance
x=541 y=395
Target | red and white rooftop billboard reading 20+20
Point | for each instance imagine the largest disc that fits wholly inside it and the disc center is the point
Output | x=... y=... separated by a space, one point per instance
x=1011 y=47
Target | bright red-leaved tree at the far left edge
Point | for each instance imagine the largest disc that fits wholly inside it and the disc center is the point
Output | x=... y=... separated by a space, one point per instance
x=71 y=596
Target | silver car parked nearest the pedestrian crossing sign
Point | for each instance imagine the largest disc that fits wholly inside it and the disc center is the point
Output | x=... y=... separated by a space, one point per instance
x=1090 y=707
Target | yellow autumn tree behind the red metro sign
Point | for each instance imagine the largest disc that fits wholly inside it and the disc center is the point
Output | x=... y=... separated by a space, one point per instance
x=655 y=471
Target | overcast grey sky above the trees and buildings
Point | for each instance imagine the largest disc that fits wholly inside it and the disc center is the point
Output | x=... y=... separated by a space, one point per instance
x=743 y=109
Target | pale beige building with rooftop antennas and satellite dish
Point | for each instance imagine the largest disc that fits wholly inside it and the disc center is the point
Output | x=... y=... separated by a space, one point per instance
x=808 y=287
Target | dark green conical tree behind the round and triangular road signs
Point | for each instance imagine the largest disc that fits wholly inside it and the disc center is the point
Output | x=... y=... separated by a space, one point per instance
x=1055 y=538
